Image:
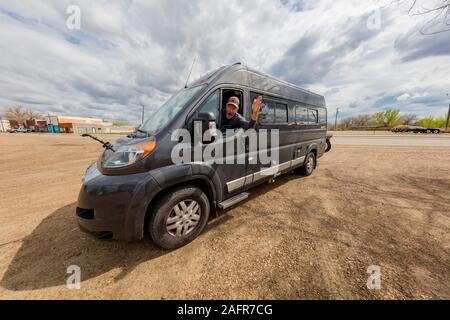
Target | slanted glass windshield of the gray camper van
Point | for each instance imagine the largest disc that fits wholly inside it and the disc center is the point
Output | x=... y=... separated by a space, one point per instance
x=169 y=110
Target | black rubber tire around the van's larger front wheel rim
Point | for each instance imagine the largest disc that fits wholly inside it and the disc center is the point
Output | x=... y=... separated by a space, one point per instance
x=165 y=206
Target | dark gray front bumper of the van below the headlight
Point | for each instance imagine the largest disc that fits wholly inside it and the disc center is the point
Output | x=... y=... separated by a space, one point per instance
x=114 y=207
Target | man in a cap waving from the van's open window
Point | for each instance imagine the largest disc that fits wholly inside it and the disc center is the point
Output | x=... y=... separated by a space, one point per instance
x=231 y=119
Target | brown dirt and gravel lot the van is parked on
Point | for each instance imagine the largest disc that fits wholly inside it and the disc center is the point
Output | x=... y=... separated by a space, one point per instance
x=300 y=238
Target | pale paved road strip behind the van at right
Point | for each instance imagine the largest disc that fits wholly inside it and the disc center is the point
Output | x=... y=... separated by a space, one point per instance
x=393 y=140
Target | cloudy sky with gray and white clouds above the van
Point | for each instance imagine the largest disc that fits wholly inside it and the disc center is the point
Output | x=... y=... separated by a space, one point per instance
x=364 y=56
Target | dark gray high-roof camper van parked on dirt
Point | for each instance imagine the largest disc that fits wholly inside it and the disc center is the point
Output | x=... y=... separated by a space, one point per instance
x=135 y=188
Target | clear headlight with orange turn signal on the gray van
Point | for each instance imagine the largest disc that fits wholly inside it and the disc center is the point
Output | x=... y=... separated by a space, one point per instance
x=127 y=155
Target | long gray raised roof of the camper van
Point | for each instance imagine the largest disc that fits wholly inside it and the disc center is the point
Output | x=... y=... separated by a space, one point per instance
x=240 y=74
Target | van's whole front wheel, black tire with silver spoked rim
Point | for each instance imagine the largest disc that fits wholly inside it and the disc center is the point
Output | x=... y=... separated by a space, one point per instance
x=179 y=217
